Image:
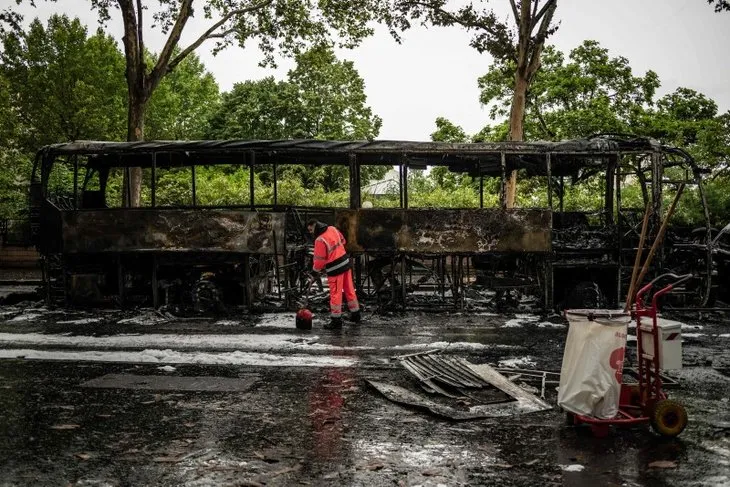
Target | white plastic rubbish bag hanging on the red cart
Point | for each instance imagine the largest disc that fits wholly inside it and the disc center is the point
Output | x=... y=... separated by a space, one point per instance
x=590 y=377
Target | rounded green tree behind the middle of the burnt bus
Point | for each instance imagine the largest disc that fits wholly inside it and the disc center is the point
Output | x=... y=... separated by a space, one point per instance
x=322 y=98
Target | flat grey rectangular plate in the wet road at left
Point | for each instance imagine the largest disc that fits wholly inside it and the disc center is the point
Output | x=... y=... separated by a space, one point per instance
x=172 y=383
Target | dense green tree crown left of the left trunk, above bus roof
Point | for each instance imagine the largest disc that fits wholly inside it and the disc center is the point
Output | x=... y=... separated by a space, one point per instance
x=65 y=85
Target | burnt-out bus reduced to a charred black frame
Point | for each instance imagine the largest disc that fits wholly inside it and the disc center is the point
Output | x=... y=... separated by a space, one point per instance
x=550 y=251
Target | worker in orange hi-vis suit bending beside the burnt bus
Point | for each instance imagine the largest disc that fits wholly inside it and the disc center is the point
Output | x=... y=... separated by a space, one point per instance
x=331 y=257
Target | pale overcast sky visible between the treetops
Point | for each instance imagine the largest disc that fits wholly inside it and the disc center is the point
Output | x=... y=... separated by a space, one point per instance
x=434 y=71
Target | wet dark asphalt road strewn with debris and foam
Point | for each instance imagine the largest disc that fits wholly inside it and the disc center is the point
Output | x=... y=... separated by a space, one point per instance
x=270 y=405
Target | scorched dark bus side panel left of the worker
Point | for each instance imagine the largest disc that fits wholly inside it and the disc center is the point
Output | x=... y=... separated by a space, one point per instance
x=150 y=229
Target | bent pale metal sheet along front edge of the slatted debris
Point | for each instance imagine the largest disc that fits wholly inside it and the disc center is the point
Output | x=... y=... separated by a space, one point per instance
x=404 y=396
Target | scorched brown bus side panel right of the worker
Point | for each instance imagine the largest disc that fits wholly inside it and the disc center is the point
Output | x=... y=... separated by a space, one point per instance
x=446 y=231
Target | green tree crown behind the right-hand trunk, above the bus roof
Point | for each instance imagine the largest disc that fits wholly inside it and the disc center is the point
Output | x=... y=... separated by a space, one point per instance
x=589 y=93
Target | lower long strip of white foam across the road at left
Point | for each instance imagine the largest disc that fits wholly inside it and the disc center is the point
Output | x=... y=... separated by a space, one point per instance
x=174 y=357
